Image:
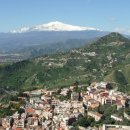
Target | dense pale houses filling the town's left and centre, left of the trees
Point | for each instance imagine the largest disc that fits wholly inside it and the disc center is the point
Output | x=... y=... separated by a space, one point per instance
x=42 y=111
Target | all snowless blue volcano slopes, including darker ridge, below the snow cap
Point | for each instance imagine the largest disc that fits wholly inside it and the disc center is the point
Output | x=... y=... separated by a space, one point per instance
x=37 y=43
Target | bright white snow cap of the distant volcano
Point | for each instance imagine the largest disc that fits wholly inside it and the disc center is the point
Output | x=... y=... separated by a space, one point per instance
x=54 y=26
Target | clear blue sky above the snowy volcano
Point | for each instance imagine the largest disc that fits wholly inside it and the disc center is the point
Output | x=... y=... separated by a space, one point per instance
x=107 y=15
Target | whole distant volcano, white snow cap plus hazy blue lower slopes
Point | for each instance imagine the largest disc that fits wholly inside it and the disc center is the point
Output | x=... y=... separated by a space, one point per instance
x=47 y=35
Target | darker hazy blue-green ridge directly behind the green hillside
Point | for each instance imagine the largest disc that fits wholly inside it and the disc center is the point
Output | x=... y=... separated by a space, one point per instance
x=39 y=50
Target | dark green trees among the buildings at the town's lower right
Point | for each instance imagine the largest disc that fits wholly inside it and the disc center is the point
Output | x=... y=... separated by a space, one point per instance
x=107 y=111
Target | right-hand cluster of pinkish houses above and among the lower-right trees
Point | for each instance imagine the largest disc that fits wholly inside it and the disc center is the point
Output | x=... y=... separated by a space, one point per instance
x=101 y=94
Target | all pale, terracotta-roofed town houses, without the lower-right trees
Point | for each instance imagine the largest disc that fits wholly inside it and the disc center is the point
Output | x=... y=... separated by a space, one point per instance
x=42 y=110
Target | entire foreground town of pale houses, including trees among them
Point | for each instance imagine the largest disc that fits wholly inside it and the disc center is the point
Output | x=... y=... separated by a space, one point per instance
x=61 y=109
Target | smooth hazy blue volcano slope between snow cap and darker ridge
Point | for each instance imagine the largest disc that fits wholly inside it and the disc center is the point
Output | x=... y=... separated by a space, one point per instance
x=16 y=41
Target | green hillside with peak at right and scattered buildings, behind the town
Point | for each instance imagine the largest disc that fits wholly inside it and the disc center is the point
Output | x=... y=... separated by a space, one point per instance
x=107 y=59
